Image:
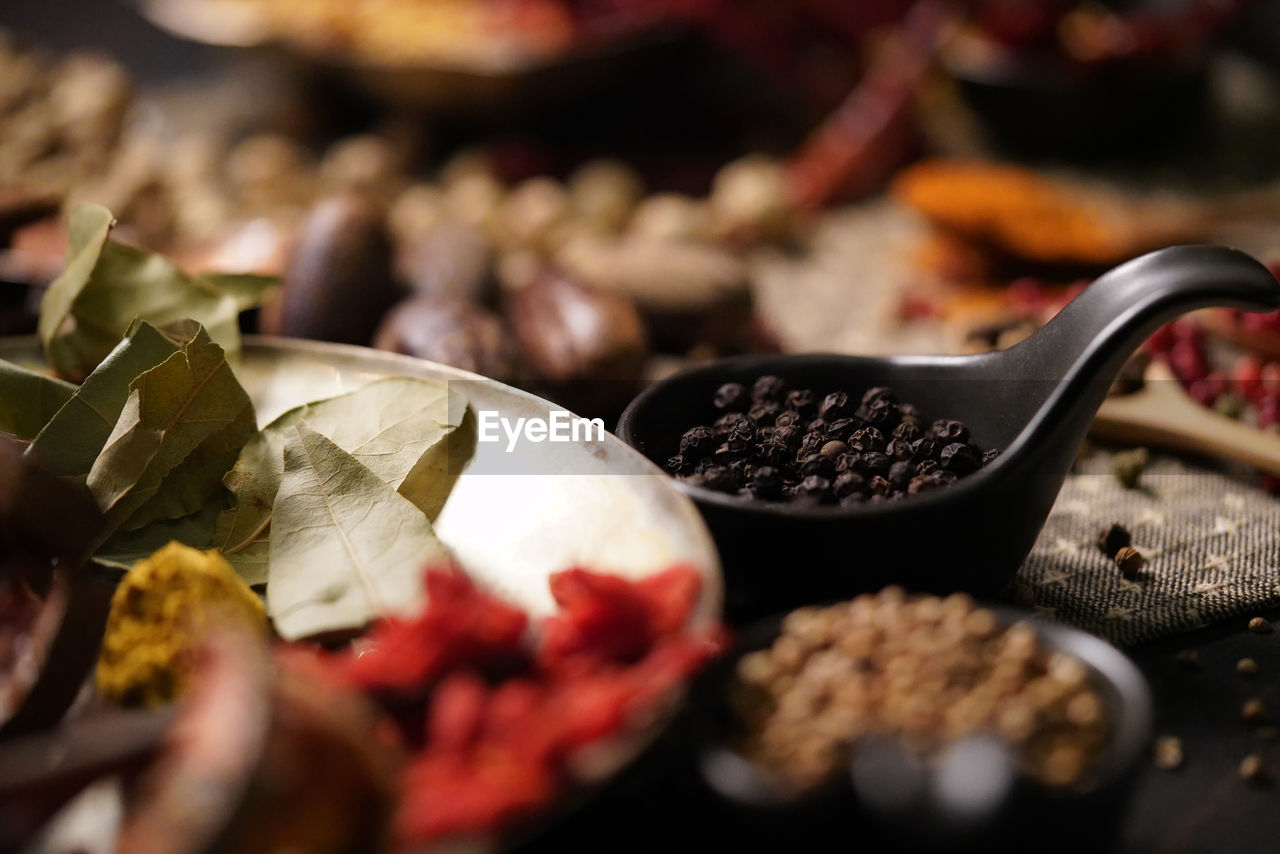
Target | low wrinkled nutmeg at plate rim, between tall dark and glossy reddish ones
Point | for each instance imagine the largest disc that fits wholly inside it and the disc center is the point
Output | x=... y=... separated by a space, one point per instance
x=452 y=332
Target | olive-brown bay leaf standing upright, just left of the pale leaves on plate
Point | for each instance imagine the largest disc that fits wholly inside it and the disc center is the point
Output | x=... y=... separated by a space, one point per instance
x=179 y=433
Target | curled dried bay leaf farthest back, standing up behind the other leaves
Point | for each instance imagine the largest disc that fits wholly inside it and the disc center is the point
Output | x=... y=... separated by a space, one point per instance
x=106 y=286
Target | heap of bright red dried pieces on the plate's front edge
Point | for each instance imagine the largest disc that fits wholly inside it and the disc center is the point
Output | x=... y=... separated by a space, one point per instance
x=496 y=739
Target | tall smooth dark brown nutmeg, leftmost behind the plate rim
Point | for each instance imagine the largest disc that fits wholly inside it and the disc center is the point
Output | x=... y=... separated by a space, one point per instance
x=339 y=281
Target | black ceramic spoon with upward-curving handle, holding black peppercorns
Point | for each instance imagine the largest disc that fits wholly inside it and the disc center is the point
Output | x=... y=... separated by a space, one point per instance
x=1034 y=403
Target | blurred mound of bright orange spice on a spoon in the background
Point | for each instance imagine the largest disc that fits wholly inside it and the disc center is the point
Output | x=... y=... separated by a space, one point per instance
x=1017 y=211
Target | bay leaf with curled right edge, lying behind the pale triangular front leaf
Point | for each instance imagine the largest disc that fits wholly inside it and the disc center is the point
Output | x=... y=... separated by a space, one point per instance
x=400 y=428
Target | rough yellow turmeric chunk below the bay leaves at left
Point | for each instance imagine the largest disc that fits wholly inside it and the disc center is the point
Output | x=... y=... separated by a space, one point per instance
x=159 y=615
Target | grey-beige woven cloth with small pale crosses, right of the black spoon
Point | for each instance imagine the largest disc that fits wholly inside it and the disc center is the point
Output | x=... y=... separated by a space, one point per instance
x=1212 y=542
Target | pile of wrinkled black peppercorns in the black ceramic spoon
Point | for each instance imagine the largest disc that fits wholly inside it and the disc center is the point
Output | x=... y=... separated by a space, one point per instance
x=775 y=444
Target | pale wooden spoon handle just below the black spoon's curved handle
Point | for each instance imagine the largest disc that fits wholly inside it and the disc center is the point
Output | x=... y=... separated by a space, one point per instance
x=1163 y=415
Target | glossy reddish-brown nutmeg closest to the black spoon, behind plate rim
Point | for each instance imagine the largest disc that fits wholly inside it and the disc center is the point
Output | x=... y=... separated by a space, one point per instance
x=587 y=344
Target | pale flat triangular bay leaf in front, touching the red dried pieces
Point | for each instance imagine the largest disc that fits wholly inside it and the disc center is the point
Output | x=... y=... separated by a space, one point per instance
x=346 y=547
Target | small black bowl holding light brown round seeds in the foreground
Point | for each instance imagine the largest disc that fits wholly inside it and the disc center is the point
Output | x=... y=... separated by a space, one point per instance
x=1068 y=819
